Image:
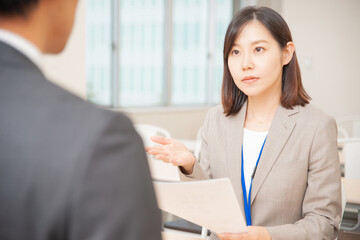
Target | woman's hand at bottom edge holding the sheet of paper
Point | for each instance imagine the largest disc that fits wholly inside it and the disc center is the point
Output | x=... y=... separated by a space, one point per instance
x=254 y=233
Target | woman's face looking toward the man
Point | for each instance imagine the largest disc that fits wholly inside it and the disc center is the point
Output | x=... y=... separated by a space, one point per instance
x=256 y=61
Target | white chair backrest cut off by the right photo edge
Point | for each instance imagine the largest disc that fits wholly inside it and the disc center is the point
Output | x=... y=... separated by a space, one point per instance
x=351 y=153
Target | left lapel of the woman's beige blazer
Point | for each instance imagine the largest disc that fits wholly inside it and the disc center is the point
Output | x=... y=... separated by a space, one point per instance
x=234 y=138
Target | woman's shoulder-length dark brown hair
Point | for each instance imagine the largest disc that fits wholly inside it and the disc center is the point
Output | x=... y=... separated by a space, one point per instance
x=293 y=92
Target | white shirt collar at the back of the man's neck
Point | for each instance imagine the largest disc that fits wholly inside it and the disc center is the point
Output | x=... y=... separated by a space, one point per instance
x=22 y=45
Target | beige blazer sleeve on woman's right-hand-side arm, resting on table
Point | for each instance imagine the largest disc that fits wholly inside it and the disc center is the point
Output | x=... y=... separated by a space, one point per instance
x=322 y=201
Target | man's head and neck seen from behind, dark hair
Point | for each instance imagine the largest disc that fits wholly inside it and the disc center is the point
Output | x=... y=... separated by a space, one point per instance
x=45 y=23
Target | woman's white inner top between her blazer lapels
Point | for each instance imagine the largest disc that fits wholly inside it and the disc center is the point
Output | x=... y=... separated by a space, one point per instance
x=252 y=144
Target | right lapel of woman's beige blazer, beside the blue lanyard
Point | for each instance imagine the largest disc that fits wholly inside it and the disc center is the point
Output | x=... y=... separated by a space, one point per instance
x=280 y=130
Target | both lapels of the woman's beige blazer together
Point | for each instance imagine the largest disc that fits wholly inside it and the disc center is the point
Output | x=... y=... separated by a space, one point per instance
x=279 y=132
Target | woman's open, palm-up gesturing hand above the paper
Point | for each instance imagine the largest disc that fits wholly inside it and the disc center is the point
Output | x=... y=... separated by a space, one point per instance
x=172 y=151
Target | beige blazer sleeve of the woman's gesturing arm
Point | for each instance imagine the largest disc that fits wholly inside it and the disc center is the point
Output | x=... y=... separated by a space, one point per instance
x=201 y=169
